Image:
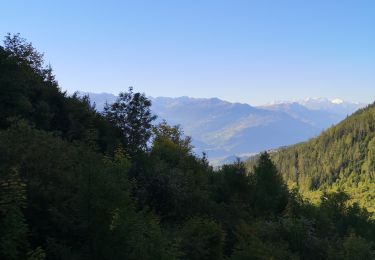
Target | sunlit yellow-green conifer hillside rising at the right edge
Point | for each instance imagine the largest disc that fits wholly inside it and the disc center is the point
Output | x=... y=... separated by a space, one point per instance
x=341 y=158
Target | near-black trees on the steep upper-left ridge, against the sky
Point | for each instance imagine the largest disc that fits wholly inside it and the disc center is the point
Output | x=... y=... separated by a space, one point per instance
x=29 y=91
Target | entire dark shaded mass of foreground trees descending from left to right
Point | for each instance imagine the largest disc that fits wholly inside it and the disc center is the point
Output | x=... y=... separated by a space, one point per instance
x=77 y=184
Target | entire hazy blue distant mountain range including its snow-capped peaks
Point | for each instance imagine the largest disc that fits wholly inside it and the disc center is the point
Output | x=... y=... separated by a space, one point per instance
x=224 y=130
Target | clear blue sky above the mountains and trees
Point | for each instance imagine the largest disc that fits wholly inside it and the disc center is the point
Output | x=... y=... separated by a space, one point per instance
x=254 y=52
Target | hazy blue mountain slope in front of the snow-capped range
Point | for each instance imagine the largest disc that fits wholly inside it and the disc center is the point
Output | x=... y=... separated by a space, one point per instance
x=223 y=128
